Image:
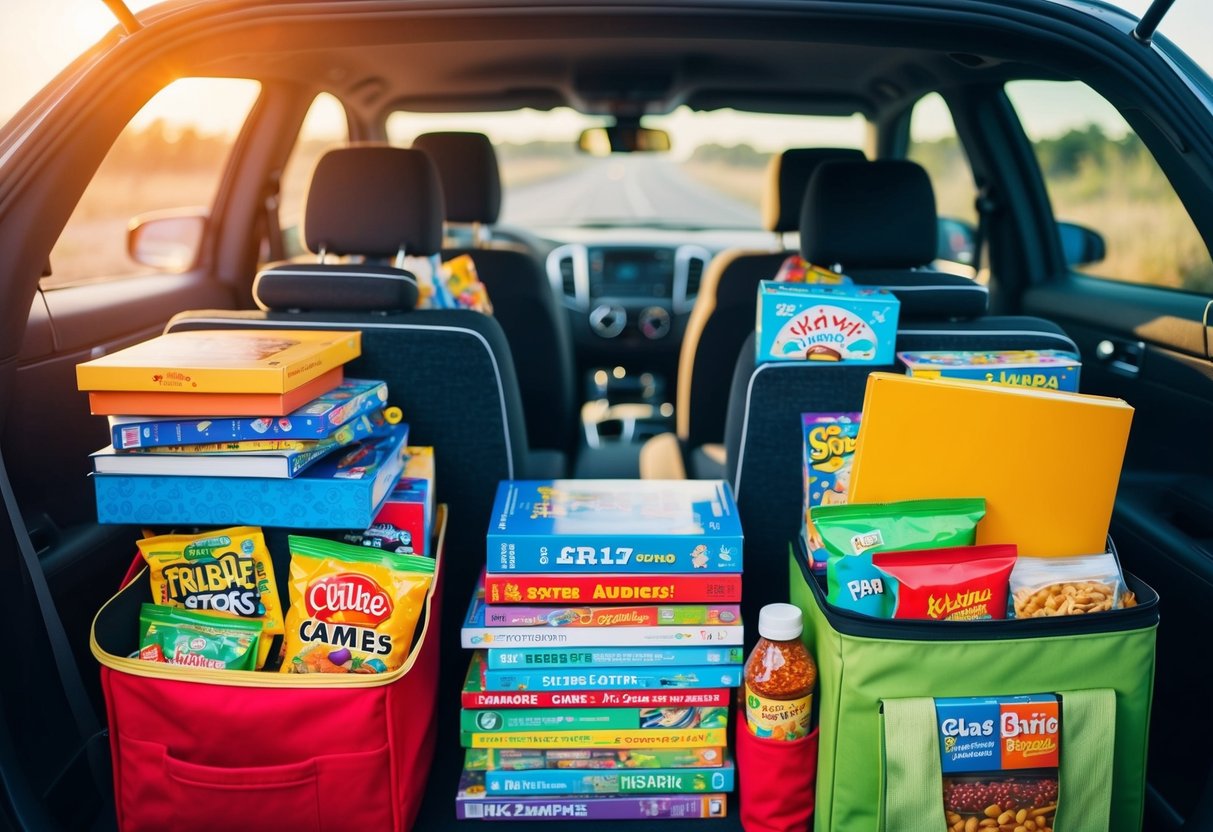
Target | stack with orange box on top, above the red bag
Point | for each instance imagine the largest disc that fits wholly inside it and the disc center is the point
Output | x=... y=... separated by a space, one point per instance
x=243 y=428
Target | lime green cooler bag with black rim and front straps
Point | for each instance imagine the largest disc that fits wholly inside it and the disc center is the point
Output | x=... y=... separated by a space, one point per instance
x=879 y=762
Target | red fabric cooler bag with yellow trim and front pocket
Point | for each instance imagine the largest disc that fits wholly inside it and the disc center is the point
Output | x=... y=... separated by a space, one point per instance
x=237 y=750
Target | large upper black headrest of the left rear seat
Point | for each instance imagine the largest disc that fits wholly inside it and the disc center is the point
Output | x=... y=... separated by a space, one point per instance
x=374 y=202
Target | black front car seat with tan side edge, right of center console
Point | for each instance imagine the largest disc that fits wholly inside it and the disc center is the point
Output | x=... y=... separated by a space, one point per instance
x=725 y=314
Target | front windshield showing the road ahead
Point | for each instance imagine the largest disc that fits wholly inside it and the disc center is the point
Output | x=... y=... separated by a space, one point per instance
x=713 y=178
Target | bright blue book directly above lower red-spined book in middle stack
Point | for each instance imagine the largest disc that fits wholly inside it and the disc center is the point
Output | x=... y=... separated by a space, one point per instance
x=616 y=679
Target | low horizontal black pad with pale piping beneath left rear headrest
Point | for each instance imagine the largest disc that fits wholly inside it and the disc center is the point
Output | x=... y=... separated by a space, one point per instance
x=335 y=288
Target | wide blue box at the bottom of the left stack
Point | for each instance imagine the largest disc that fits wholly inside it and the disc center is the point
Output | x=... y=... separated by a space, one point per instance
x=344 y=491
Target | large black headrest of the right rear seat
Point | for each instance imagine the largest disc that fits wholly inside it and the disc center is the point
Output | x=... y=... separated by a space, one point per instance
x=869 y=215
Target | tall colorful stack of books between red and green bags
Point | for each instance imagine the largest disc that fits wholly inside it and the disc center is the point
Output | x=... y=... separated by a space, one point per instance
x=608 y=636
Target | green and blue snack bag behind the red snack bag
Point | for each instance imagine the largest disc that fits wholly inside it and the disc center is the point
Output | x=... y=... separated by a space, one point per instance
x=853 y=533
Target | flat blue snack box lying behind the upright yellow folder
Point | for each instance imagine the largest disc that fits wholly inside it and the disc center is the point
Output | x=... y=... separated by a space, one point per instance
x=1049 y=369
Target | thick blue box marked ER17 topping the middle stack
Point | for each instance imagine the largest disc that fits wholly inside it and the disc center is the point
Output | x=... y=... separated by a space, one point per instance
x=614 y=527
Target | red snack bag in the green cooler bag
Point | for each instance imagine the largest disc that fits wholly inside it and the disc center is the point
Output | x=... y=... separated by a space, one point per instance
x=961 y=584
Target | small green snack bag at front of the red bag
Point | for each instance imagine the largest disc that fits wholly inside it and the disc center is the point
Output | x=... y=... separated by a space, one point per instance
x=197 y=640
